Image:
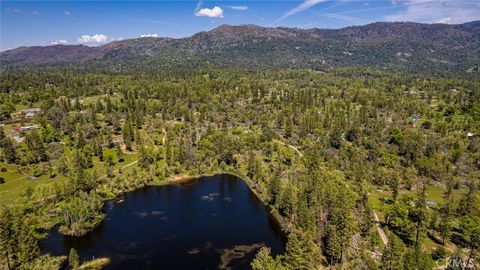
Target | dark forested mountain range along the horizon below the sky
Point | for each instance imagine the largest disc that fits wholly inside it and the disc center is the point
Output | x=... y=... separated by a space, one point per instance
x=400 y=46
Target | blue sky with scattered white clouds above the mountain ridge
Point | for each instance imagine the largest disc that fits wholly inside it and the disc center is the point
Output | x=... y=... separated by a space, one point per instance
x=98 y=22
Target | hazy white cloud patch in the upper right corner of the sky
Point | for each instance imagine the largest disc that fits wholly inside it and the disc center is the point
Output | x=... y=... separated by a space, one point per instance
x=444 y=11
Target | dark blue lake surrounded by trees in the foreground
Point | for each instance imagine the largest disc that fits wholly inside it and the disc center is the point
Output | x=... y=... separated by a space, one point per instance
x=213 y=222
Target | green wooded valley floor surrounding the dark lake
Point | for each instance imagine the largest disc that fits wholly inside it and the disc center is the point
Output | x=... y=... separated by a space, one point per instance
x=363 y=168
